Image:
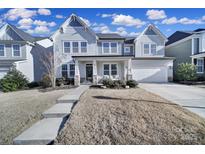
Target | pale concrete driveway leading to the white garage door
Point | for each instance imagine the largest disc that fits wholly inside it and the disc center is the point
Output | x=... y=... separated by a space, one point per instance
x=192 y=98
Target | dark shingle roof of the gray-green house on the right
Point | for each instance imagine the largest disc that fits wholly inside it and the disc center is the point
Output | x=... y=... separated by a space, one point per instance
x=178 y=35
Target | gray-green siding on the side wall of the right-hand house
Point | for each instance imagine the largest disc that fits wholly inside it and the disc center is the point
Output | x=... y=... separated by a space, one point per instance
x=181 y=52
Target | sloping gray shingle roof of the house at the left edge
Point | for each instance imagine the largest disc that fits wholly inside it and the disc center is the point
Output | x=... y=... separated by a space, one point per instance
x=25 y=36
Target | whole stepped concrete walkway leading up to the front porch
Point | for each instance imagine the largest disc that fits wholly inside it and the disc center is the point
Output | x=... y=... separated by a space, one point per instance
x=46 y=130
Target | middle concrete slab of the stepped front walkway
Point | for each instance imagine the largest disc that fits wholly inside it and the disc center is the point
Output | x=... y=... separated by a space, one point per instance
x=59 y=110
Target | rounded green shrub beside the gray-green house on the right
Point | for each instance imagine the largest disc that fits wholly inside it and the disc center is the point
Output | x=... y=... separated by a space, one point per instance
x=186 y=72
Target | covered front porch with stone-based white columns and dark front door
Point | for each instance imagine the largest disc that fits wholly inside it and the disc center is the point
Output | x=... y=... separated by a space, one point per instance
x=92 y=70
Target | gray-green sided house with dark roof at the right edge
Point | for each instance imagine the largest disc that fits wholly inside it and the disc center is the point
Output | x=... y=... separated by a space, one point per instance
x=187 y=47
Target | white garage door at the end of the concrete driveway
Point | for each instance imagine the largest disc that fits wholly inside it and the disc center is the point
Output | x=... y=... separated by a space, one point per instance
x=152 y=73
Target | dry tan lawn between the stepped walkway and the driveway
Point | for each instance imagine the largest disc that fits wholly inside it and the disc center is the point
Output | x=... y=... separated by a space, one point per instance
x=130 y=116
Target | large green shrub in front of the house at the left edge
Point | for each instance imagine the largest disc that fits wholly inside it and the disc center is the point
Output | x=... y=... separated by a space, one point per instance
x=13 y=81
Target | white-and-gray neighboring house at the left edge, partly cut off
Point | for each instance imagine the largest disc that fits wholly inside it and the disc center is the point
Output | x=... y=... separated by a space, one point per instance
x=17 y=49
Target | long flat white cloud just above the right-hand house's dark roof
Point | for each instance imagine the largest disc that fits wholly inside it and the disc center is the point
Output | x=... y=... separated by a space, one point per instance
x=184 y=21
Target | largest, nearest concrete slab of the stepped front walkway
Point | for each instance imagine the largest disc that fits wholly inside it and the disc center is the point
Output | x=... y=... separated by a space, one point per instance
x=41 y=133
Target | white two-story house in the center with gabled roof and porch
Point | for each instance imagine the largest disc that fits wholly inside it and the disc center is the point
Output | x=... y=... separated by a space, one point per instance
x=87 y=56
